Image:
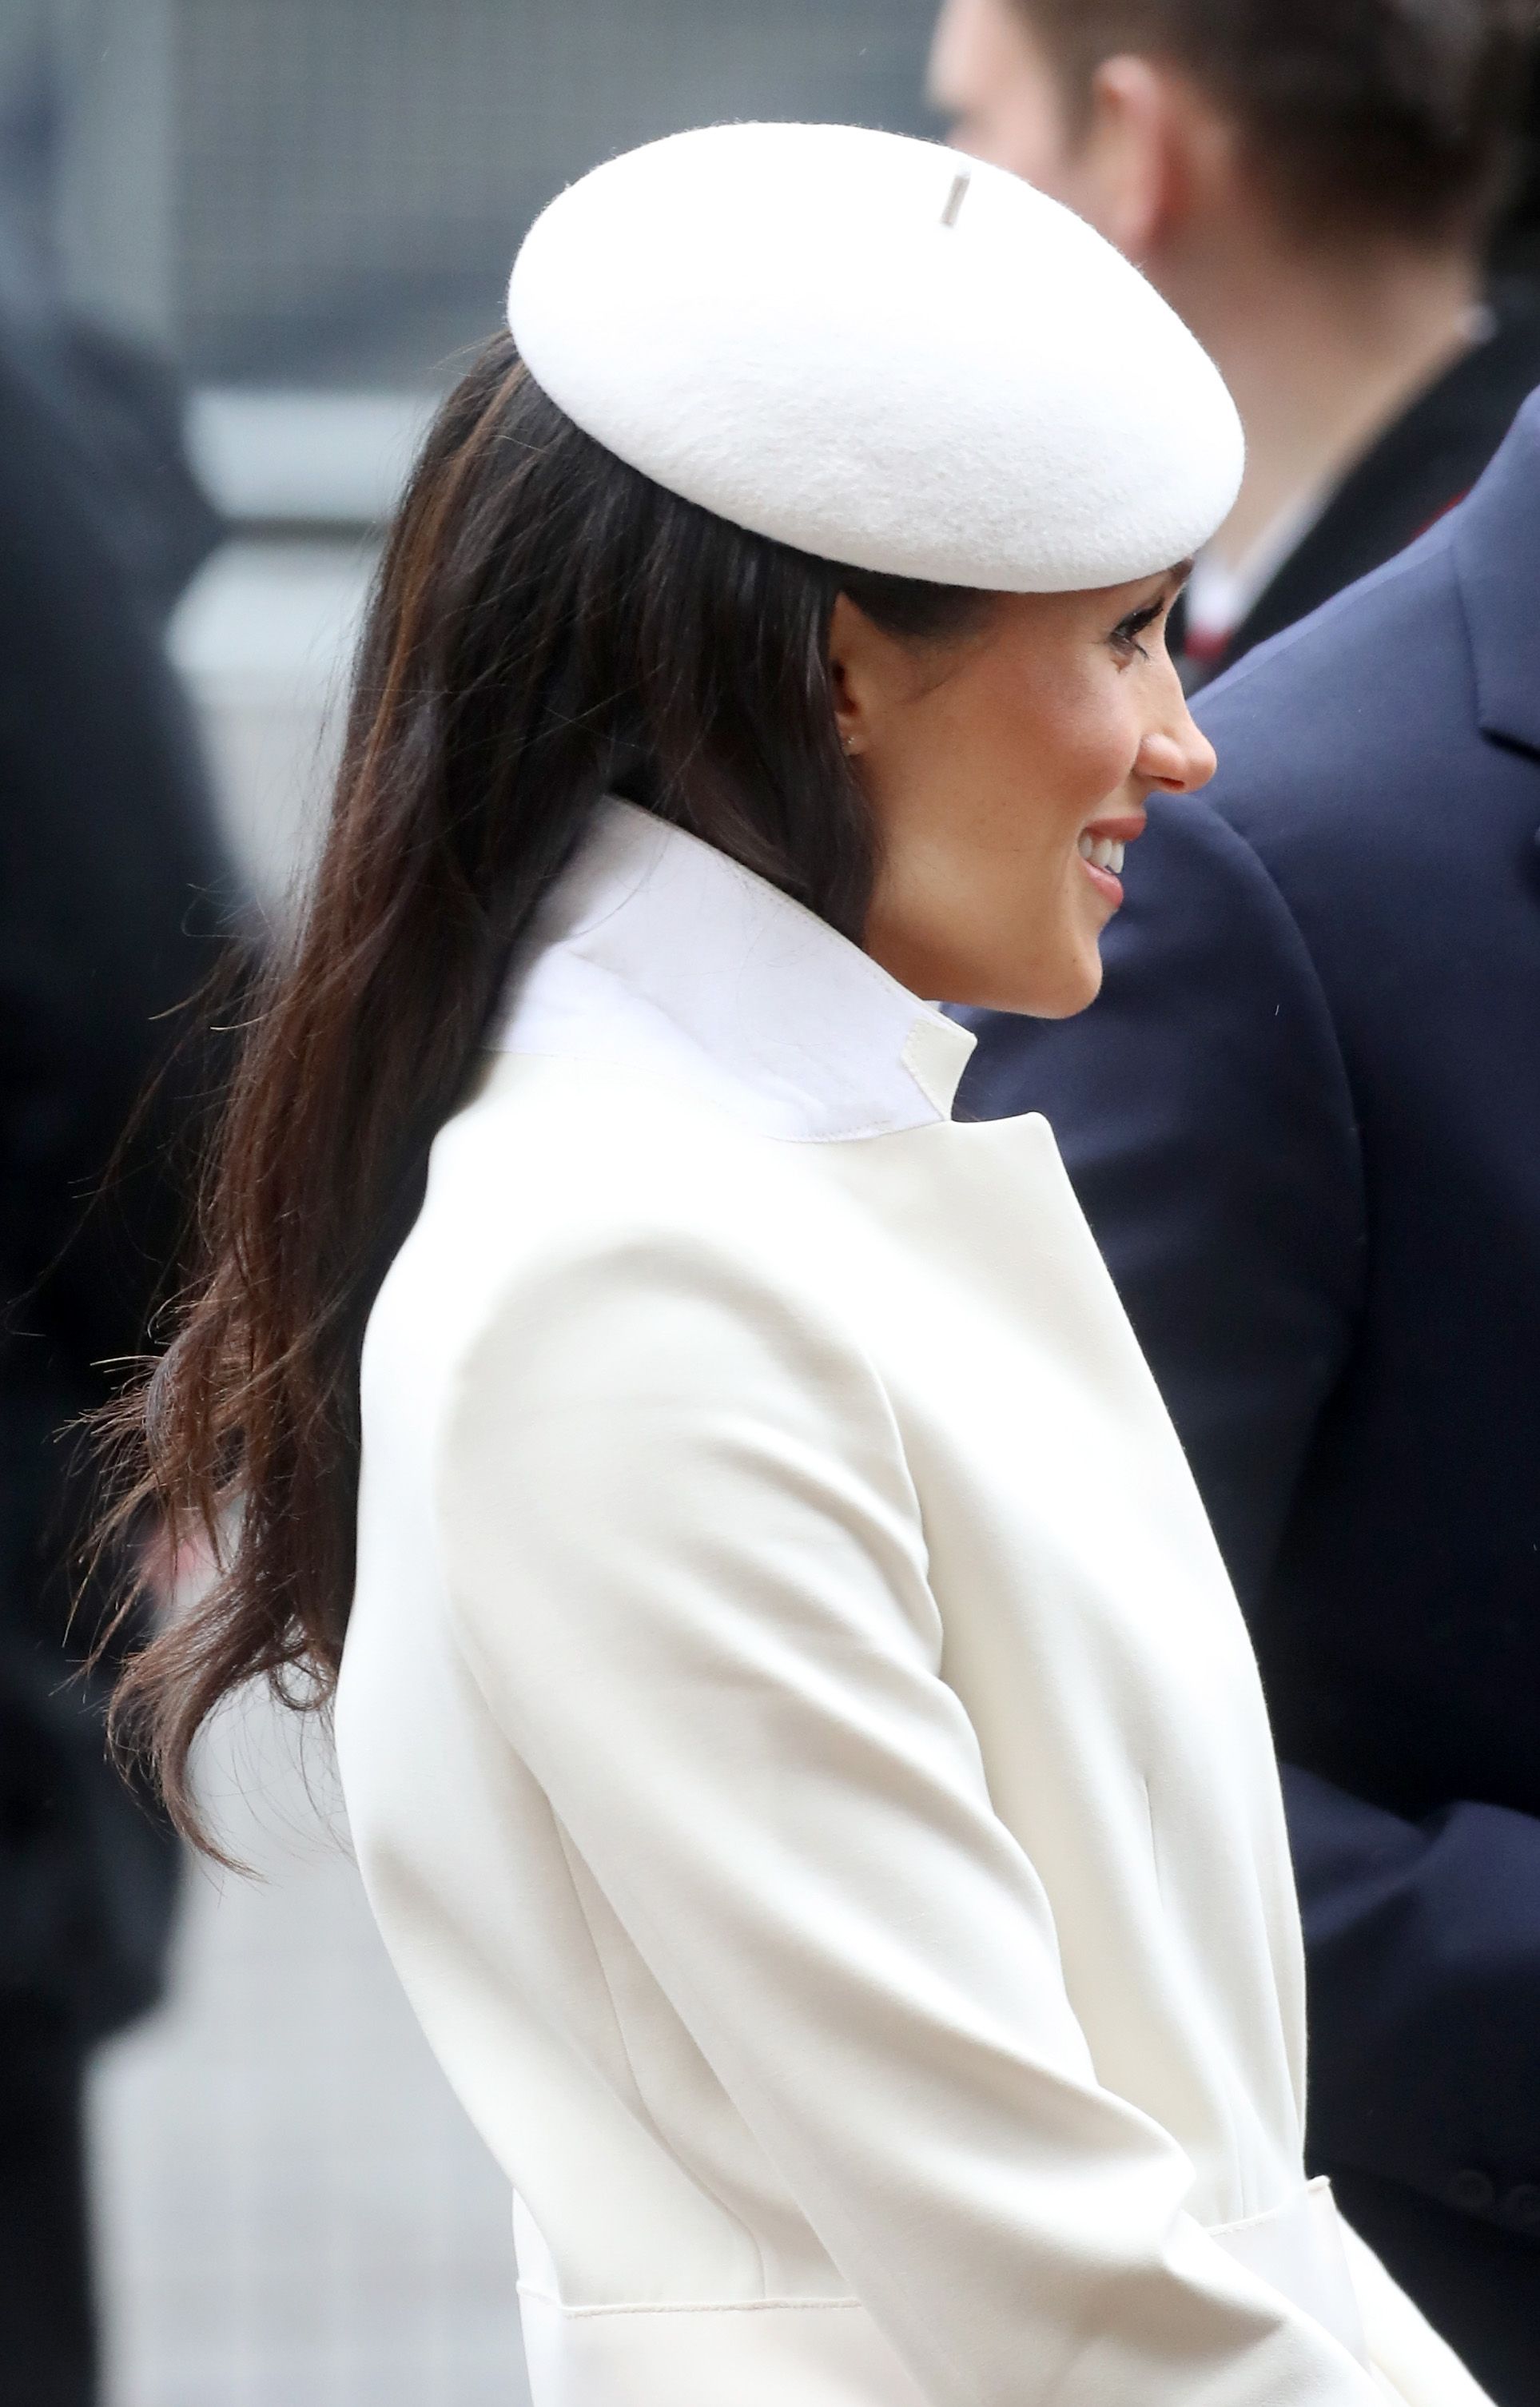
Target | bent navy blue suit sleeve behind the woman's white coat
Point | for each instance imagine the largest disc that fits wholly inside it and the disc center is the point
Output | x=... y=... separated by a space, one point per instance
x=1207 y=1123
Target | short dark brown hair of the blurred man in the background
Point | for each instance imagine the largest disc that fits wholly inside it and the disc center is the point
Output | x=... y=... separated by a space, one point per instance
x=1361 y=117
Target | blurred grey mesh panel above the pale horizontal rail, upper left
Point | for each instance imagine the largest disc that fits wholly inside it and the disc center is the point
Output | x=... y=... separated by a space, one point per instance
x=328 y=191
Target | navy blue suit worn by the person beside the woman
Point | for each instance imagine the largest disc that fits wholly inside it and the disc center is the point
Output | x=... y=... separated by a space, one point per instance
x=1305 y=1123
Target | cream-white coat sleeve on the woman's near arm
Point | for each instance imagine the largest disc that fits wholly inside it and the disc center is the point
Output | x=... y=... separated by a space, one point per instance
x=687 y=1571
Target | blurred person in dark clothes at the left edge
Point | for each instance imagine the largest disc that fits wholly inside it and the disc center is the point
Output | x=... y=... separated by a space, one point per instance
x=109 y=901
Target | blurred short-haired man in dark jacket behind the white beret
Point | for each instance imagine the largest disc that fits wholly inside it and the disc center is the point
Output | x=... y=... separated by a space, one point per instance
x=1313 y=187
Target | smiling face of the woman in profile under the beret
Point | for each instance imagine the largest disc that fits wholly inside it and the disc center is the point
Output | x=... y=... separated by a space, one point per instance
x=1007 y=771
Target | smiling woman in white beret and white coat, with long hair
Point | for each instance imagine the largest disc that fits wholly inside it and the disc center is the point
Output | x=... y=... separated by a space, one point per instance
x=800 y=1741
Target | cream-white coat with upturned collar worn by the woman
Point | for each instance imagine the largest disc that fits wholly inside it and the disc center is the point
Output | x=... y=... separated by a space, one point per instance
x=800 y=1739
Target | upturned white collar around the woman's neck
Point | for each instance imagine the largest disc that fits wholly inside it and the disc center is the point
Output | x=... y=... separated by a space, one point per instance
x=658 y=952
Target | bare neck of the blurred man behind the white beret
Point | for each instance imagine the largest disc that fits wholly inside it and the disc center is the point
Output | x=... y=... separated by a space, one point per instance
x=1322 y=353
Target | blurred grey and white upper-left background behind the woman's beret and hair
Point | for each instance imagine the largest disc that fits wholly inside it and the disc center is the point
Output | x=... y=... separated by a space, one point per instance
x=309 y=208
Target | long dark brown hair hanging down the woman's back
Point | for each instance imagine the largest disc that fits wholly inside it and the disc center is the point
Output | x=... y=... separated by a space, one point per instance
x=547 y=627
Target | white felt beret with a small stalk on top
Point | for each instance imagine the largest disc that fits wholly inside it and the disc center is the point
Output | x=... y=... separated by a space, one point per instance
x=879 y=350
